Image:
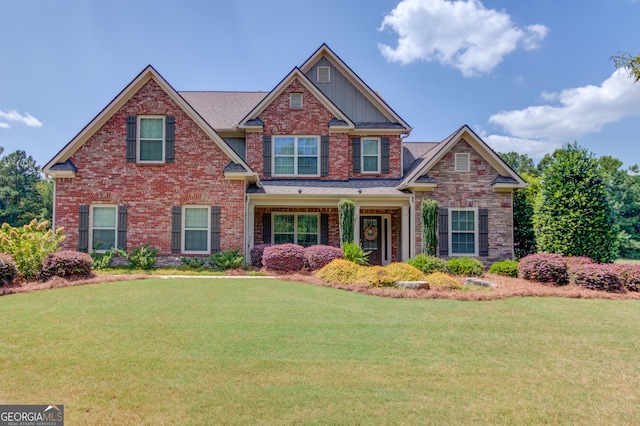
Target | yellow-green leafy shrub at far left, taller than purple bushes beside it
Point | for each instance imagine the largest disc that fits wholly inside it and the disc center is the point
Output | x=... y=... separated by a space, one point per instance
x=29 y=245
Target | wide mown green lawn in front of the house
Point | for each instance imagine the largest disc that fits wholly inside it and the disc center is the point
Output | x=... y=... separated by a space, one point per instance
x=238 y=351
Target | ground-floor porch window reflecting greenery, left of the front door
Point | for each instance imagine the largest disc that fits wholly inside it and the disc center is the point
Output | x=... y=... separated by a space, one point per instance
x=296 y=228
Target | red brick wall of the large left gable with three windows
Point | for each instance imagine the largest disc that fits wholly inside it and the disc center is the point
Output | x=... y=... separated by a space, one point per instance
x=149 y=191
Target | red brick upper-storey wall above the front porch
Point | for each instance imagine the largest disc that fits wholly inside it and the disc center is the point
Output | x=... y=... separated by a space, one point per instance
x=313 y=119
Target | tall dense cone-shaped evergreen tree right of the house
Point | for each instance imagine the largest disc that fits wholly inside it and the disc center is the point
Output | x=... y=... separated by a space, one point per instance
x=573 y=214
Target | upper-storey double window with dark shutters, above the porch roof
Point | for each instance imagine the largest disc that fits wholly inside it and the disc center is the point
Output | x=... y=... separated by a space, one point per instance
x=295 y=155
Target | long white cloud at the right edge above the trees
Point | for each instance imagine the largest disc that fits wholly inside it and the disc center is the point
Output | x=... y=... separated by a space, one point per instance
x=568 y=116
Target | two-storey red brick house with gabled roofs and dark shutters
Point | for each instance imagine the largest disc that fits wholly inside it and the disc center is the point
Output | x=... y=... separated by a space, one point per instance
x=192 y=173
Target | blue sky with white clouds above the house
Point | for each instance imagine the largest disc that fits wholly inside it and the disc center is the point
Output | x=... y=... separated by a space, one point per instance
x=527 y=76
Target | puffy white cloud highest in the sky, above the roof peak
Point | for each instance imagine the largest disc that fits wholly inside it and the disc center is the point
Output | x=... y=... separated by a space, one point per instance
x=460 y=33
